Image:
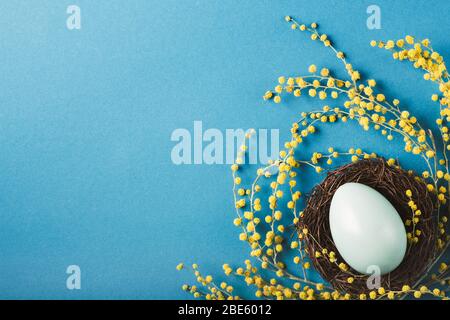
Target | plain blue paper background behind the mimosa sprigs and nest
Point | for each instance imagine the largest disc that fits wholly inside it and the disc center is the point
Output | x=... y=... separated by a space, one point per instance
x=86 y=118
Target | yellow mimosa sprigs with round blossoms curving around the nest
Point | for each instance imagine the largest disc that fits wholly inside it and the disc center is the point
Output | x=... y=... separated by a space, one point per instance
x=268 y=209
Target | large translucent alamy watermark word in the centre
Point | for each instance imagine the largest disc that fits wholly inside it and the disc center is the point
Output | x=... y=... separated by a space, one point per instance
x=213 y=146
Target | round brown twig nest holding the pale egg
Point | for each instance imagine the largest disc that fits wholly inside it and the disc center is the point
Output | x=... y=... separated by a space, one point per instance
x=392 y=182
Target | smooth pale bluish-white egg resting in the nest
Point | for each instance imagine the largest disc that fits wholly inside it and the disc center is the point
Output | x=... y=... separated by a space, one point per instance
x=366 y=229
